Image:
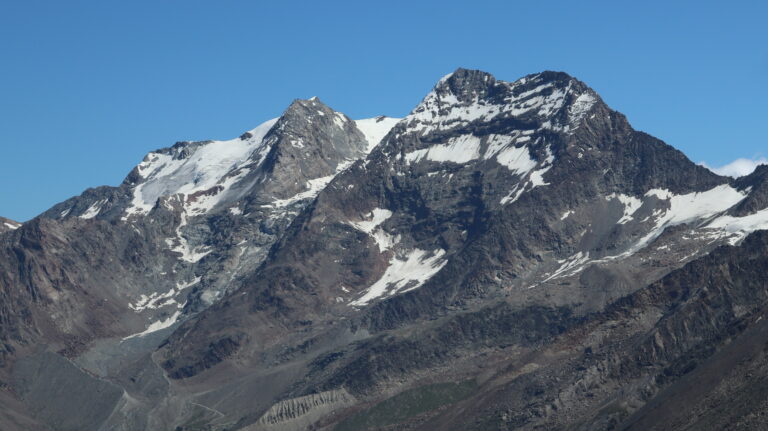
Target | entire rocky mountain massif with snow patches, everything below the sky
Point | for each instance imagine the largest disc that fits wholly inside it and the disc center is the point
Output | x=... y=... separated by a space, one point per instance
x=511 y=255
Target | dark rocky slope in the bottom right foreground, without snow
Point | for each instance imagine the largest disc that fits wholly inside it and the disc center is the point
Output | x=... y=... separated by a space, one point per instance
x=660 y=358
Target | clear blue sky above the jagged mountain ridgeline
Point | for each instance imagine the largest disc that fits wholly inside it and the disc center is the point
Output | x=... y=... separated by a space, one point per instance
x=87 y=88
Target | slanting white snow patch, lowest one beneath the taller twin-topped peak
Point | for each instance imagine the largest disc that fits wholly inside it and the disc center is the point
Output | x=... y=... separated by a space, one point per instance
x=404 y=274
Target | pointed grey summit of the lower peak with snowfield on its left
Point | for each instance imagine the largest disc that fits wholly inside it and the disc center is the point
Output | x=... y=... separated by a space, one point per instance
x=308 y=141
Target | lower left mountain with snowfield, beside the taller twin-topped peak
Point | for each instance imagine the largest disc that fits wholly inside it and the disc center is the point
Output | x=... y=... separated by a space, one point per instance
x=189 y=218
